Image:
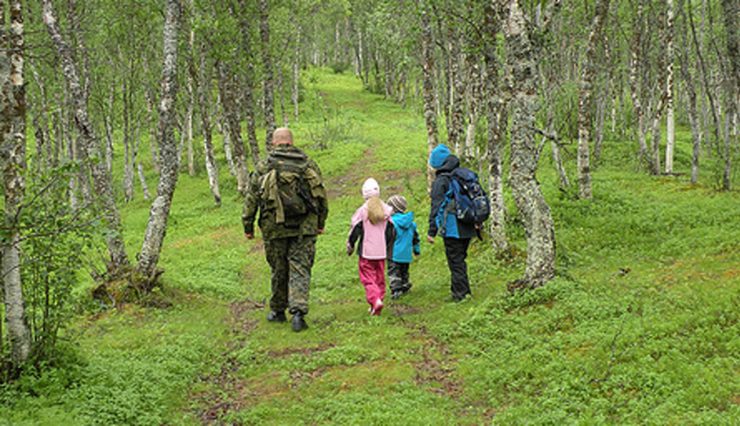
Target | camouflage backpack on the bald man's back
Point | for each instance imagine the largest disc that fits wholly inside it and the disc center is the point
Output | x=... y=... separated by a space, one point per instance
x=291 y=187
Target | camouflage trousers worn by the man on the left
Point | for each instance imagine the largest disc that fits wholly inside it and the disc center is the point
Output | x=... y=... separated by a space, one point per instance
x=291 y=260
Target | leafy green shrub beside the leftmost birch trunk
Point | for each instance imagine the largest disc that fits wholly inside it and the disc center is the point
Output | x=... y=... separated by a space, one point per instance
x=56 y=241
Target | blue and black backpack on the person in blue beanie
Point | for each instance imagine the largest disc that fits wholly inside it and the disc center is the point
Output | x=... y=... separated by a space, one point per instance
x=472 y=204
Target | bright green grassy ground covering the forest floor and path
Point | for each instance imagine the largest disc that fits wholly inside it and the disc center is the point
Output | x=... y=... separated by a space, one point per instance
x=640 y=326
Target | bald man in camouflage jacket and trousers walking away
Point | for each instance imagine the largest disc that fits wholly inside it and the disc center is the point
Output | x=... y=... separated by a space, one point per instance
x=289 y=248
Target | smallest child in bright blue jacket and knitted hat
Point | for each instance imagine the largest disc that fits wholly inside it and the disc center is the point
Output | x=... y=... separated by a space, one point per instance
x=406 y=243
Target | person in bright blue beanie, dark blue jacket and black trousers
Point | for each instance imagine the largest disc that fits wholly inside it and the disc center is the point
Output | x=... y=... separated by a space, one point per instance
x=443 y=222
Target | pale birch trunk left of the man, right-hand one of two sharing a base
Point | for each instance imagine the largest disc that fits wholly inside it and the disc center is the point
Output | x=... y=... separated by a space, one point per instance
x=157 y=226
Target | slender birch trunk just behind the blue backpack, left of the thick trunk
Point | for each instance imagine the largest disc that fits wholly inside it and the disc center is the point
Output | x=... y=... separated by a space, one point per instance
x=497 y=119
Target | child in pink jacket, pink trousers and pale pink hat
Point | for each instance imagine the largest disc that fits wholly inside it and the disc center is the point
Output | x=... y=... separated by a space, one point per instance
x=372 y=227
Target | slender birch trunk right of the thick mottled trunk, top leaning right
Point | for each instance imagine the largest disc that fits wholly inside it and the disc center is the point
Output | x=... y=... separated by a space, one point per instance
x=584 y=99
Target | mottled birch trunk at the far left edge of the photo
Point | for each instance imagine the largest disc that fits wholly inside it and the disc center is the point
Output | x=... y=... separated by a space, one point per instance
x=13 y=157
